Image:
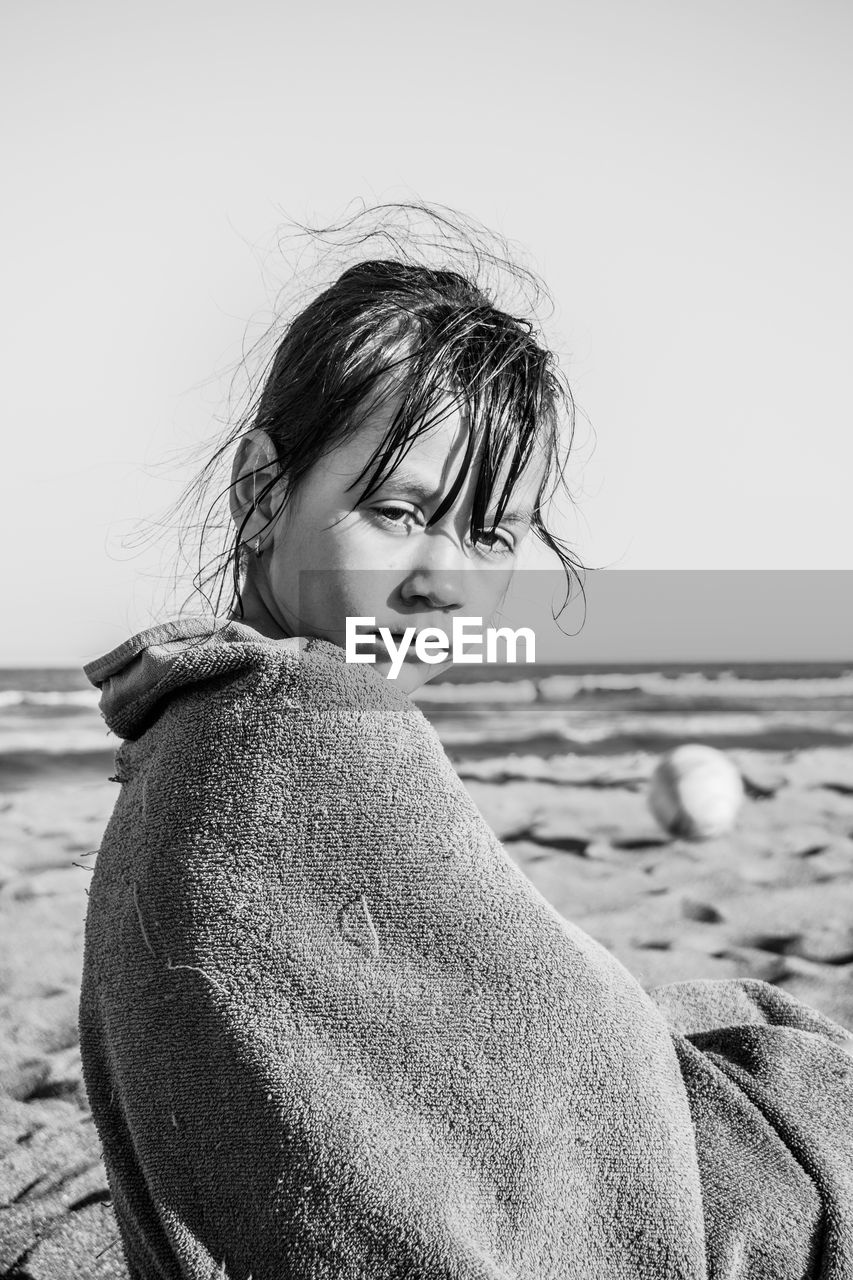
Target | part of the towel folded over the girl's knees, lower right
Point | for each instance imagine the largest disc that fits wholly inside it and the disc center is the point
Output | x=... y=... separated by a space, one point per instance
x=773 y=1109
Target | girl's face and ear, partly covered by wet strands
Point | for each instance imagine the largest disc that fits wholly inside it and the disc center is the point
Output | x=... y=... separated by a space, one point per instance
x=329 y=557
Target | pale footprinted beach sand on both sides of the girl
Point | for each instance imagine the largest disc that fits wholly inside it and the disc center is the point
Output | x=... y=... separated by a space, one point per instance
x=773 y=900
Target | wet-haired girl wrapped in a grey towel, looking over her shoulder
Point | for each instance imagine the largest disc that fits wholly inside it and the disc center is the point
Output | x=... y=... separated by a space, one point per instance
x=329 y=1028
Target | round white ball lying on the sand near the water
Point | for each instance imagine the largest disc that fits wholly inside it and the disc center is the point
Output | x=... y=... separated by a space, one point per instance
x=696 y=793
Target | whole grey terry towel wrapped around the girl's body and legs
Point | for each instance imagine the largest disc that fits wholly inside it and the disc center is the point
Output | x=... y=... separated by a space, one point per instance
x=331 y=1032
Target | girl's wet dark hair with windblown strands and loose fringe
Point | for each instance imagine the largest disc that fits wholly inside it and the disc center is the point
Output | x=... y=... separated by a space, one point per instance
x=398 y=328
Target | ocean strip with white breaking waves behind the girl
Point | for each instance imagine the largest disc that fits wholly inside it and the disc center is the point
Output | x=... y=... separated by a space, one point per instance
x=51 y=726
